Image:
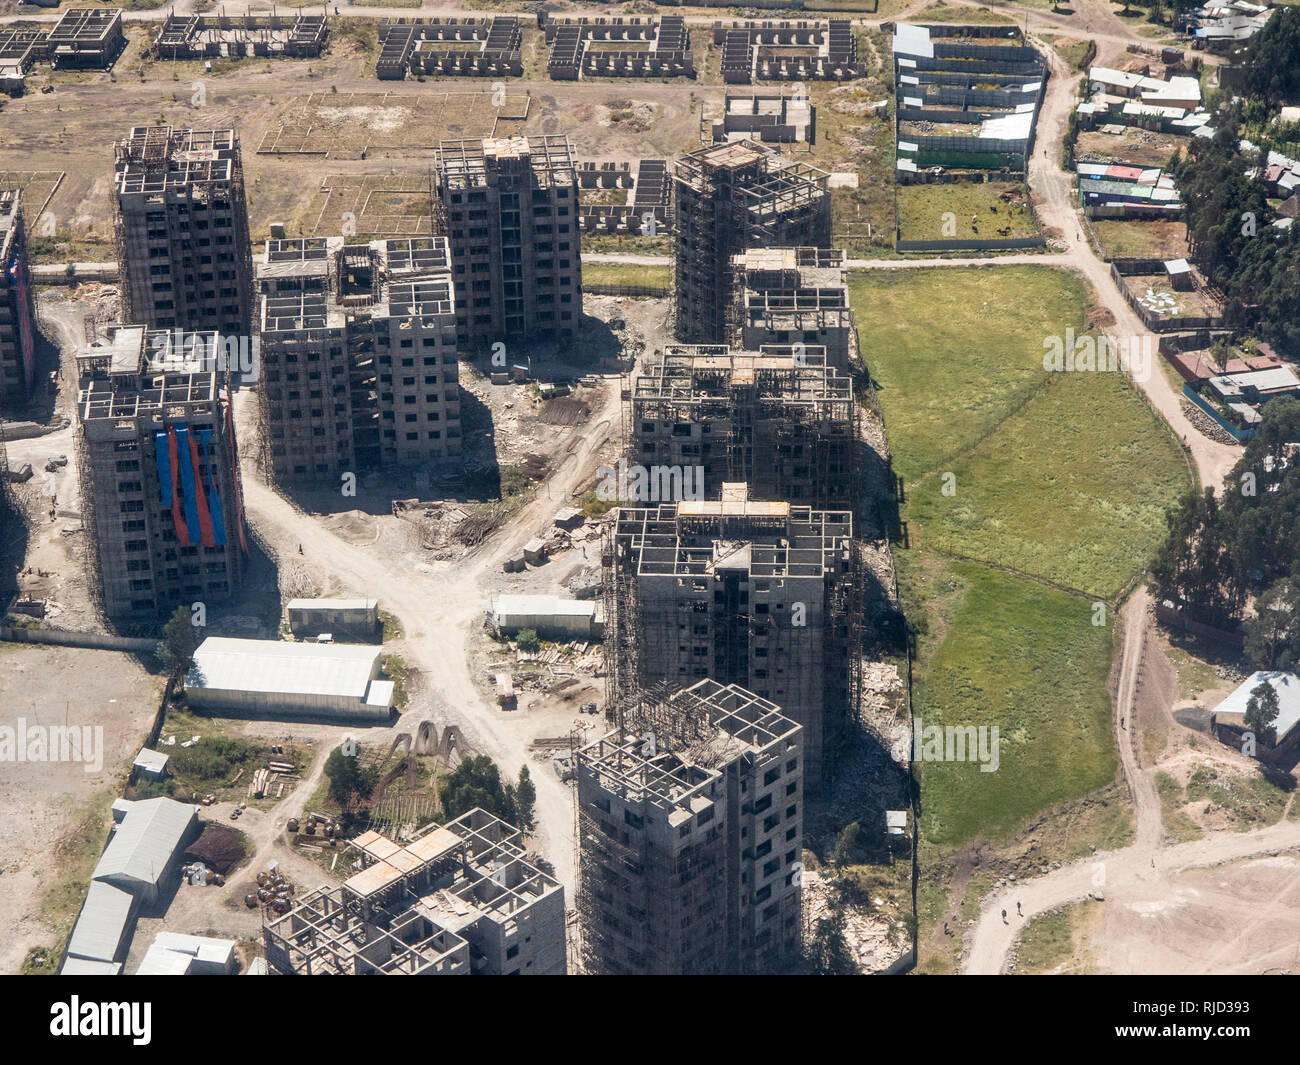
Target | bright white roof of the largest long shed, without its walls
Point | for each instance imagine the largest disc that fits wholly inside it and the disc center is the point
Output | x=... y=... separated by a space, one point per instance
x=272 y=666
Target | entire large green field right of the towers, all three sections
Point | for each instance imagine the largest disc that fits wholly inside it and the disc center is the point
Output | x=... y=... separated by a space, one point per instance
x=1058 y=478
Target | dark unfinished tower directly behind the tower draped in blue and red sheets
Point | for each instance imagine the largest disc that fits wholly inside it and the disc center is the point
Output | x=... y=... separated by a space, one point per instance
x=181 y=230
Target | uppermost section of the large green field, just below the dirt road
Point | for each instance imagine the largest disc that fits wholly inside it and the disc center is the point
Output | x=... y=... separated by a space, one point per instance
x=955 y=352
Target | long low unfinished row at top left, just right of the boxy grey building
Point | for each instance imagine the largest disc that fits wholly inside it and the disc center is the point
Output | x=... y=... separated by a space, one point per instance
x=189 y=37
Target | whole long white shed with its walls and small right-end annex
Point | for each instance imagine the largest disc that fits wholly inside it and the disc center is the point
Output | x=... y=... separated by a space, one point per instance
x=293 y=681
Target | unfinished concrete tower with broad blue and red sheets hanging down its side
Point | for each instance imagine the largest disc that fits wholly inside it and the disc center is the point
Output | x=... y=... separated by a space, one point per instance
x=162 y=500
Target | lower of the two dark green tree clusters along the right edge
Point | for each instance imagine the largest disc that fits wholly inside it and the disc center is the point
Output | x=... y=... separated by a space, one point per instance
x=1242 y=548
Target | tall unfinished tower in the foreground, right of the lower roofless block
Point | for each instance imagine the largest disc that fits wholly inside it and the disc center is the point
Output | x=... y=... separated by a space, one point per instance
x=691 y=828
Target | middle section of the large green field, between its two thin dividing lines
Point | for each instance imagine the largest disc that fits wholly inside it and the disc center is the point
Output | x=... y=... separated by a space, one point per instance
x=1072 y=490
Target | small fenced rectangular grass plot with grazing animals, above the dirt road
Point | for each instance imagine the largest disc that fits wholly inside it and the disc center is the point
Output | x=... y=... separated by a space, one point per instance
x=980 y=210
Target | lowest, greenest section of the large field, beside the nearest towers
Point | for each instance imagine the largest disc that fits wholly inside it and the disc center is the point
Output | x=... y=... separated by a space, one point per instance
x=1026 y=660
